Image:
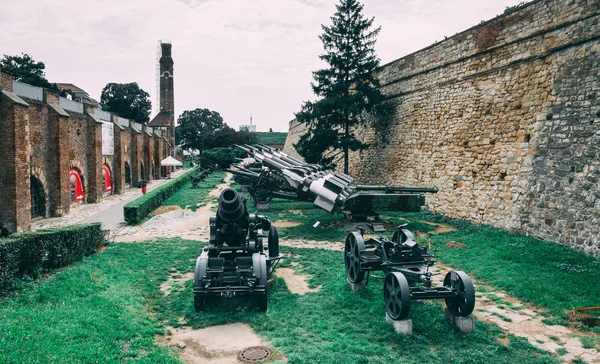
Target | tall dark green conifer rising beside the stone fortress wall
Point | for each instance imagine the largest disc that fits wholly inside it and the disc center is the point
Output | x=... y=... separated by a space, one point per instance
x=347 y=89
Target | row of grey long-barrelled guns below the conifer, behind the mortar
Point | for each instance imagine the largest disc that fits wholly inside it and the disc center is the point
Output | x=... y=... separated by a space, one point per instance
x=279 y=175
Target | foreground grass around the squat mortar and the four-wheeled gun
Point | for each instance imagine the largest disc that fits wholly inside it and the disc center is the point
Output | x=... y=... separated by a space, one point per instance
x=109 y=307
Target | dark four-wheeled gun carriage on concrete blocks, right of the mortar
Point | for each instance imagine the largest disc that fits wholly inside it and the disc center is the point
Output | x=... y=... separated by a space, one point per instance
x=407 y=276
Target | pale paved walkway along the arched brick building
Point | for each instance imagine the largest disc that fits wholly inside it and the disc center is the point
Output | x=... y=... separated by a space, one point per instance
x=109 y=211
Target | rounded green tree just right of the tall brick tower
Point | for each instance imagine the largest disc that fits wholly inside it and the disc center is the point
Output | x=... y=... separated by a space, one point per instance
x=197 y=126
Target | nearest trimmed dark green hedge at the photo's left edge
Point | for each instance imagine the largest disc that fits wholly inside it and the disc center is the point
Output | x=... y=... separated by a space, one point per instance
x=26 y=254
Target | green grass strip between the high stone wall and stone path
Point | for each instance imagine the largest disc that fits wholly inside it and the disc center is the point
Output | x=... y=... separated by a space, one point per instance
x=543 y=273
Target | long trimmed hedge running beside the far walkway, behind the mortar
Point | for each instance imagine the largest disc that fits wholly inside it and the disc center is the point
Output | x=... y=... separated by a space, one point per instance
x=138 y=209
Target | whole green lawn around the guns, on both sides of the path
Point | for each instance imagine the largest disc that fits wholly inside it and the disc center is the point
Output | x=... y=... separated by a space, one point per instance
x=109 y=307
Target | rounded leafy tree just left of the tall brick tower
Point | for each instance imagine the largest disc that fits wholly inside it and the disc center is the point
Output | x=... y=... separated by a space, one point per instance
x=128 y=100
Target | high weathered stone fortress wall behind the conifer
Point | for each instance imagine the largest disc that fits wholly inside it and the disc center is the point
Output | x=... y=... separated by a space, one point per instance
x=505 y=119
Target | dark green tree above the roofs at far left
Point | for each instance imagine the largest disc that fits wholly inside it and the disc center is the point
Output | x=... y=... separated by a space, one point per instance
x=25 y=69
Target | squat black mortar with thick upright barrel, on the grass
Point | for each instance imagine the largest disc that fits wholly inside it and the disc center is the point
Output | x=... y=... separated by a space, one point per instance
x=236 y=262
